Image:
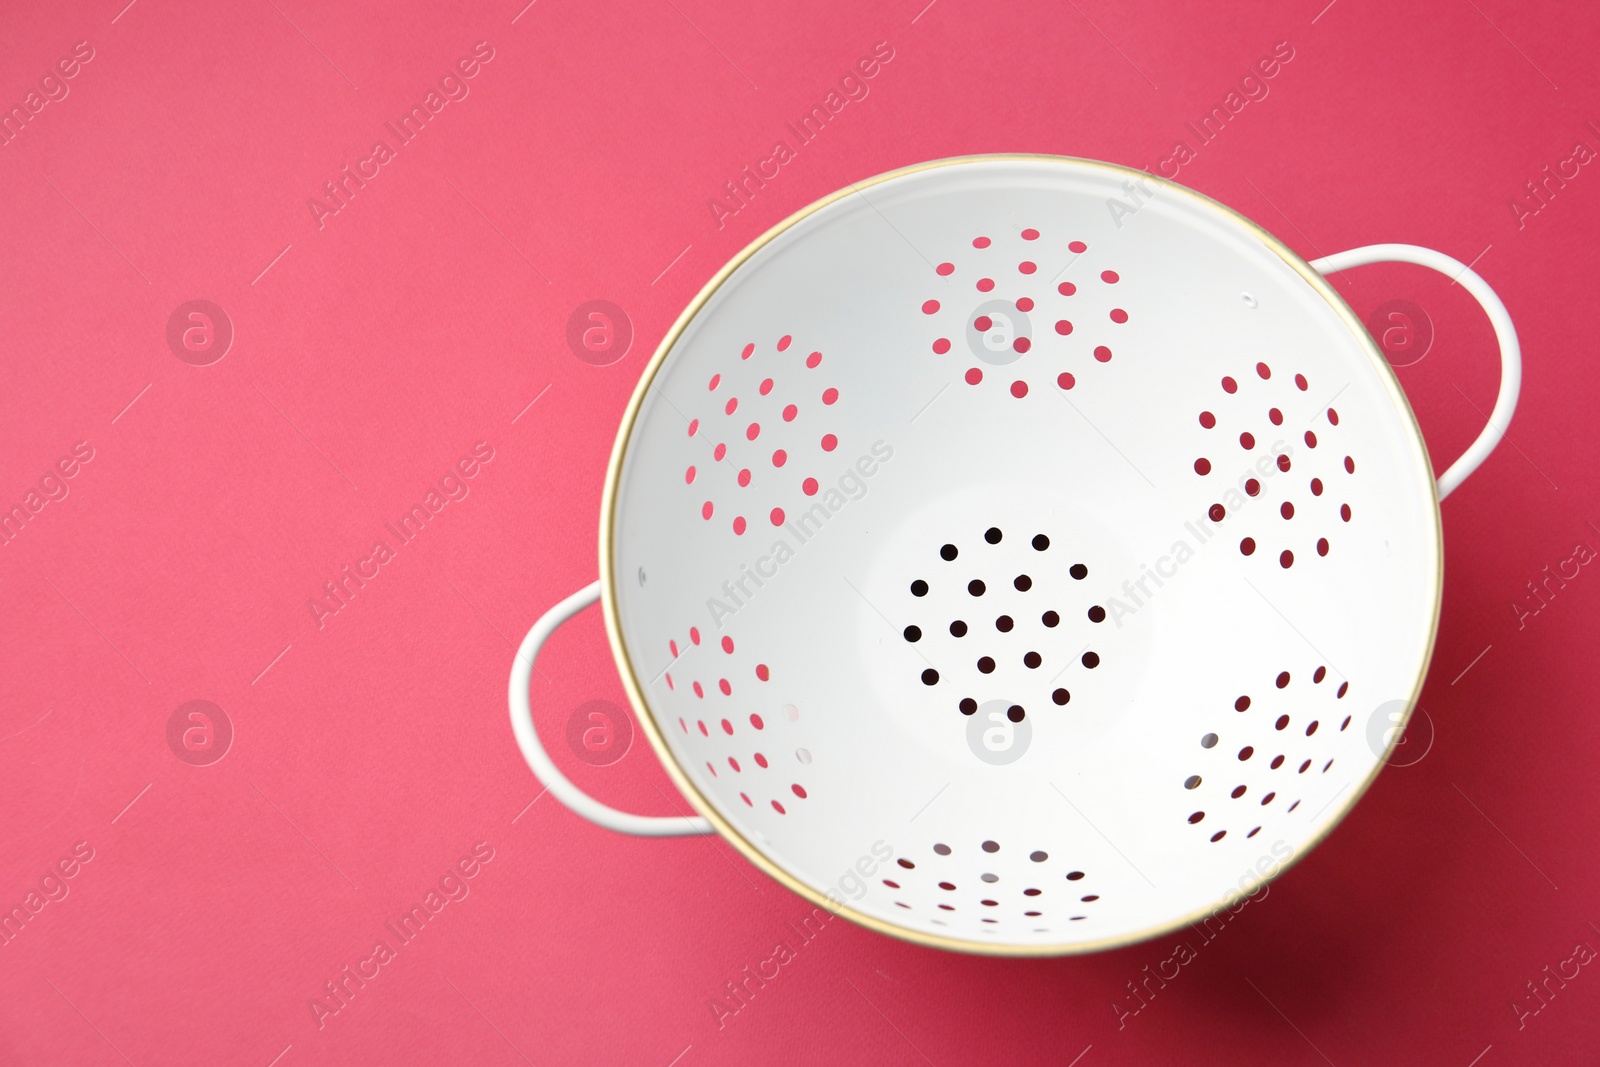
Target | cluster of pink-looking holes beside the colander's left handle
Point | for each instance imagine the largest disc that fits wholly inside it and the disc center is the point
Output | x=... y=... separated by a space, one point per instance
x=753 y=756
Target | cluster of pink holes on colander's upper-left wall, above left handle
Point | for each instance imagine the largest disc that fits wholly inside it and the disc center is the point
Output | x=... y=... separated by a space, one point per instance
x=761 y=436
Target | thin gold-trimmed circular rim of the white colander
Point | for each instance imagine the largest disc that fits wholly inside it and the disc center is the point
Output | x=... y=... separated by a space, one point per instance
x=727 y=831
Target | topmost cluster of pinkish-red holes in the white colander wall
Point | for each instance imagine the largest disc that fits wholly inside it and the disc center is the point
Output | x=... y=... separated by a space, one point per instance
x=1004 y=310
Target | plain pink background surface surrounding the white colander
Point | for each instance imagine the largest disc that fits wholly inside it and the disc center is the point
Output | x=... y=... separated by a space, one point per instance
x=377 y=350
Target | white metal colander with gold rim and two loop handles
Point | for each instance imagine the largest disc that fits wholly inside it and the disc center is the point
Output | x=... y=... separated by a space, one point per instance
x=1012 y=554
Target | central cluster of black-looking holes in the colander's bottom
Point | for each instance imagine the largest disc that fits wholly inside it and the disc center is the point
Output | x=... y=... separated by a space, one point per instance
x=1001 y=615
